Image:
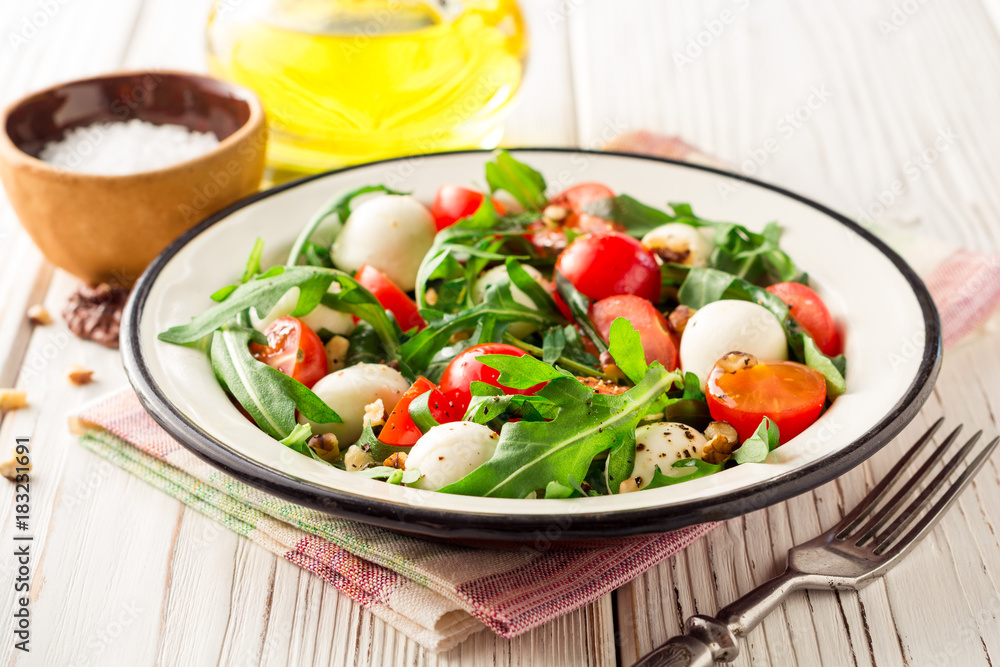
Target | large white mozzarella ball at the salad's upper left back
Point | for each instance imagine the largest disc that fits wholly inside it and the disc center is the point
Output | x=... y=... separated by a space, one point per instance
x=391 y=233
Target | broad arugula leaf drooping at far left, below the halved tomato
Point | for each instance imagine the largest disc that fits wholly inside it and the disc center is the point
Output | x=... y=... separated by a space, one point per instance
x=267 y=394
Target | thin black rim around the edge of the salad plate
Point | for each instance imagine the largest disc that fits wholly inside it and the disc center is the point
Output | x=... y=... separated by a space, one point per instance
x=545 y=528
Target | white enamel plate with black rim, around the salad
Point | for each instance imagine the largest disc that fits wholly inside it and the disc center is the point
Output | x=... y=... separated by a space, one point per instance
x=892 y=344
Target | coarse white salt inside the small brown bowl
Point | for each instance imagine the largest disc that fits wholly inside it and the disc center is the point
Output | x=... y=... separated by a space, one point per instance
x=132 y=147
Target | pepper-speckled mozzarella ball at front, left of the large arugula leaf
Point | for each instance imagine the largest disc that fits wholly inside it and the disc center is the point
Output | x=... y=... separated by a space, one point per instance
x=449 y=452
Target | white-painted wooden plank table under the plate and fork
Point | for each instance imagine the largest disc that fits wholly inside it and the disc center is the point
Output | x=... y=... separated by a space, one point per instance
x=847 y=95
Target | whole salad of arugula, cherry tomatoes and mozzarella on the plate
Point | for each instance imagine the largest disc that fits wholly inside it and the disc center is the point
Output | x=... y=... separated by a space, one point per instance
x=522 y=345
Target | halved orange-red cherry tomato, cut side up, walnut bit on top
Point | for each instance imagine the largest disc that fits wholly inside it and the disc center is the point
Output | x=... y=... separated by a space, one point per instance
x=788 y=393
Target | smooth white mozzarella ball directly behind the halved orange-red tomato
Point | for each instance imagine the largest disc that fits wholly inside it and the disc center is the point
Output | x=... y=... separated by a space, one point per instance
x=730 y=326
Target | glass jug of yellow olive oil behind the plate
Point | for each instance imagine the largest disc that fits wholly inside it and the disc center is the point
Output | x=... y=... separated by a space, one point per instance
x=348 y=81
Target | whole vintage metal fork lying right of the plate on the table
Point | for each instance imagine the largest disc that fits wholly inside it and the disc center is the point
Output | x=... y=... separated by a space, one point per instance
x=873 y=537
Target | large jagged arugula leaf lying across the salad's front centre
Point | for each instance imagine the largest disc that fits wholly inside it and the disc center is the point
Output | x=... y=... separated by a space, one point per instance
x=529 y=455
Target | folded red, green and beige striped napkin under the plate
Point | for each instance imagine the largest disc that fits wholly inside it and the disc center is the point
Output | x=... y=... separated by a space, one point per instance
x=440 y=594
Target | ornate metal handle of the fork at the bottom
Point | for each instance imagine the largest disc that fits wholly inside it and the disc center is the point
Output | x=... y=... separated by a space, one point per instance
x=708 y=640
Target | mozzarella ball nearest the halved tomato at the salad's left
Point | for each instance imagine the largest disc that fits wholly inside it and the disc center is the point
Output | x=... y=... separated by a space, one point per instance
x=348 y=391
